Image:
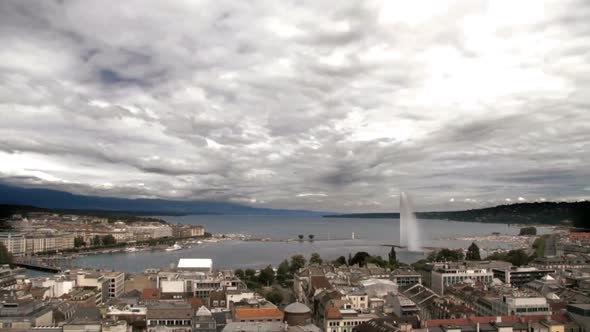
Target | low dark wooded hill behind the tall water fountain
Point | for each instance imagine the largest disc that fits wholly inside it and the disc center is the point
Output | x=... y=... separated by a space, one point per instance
x=550 y=213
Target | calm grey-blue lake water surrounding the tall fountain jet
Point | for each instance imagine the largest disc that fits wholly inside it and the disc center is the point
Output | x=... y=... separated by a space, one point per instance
x=370 y=235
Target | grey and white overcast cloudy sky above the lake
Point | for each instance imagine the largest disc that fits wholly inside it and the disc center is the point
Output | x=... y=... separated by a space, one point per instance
x=323 y=105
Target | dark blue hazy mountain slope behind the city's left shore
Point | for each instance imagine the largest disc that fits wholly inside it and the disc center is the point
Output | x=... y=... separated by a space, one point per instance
x=60 y=200
